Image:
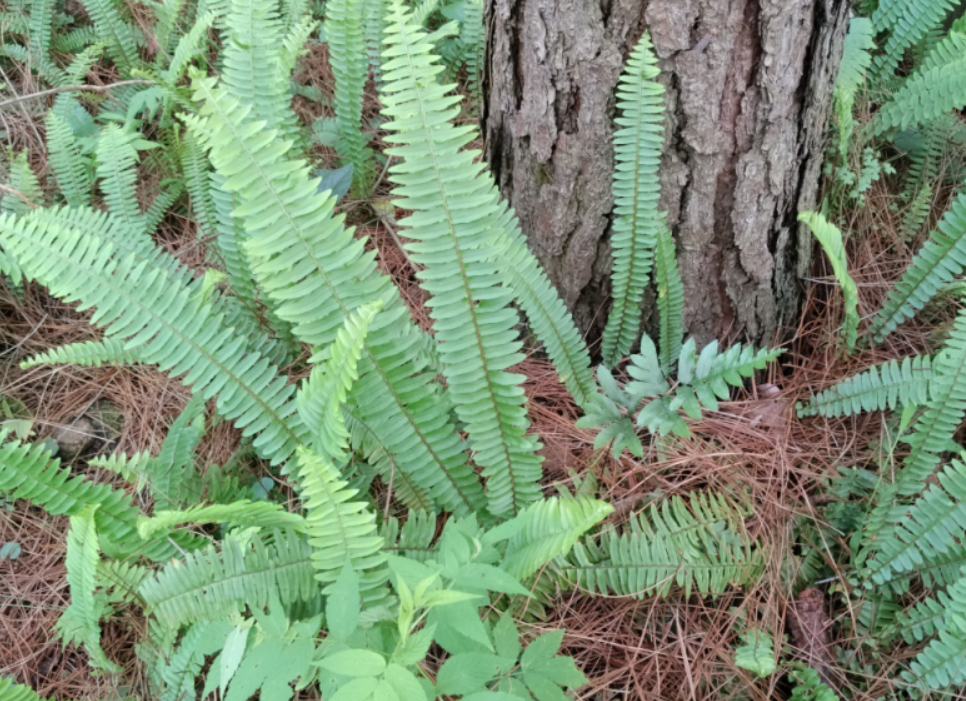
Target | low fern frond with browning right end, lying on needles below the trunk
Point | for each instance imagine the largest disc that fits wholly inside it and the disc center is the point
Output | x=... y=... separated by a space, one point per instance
x=699 y=545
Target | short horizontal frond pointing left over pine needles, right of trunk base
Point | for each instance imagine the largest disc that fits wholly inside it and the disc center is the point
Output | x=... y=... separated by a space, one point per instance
x=886 y=386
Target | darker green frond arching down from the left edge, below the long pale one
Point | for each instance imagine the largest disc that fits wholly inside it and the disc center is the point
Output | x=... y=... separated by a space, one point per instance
x=28 y=472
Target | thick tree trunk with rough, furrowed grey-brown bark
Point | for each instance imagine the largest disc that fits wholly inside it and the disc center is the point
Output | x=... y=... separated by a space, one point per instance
x=749 y=88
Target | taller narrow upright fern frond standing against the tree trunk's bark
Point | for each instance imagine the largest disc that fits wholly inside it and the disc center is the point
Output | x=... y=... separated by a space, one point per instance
x=638 y=145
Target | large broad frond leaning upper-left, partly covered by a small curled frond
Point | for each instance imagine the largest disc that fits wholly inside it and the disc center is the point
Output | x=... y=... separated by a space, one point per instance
x=318 y=273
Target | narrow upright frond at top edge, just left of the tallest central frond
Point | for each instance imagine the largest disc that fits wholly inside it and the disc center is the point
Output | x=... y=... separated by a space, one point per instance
x=350 y=66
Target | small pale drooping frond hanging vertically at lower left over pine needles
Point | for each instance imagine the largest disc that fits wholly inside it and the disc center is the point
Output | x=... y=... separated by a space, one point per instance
x=80 y=622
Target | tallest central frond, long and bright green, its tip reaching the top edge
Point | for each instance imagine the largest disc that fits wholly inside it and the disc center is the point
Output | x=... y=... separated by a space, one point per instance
x=454 y=208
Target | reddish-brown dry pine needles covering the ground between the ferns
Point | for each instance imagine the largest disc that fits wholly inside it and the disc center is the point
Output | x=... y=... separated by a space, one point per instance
x=676 y=647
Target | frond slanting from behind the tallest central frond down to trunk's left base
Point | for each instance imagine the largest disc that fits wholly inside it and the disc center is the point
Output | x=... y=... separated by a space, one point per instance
x=548 y=315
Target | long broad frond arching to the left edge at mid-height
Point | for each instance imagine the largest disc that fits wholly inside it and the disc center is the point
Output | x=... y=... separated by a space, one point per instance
x=179 y=335
